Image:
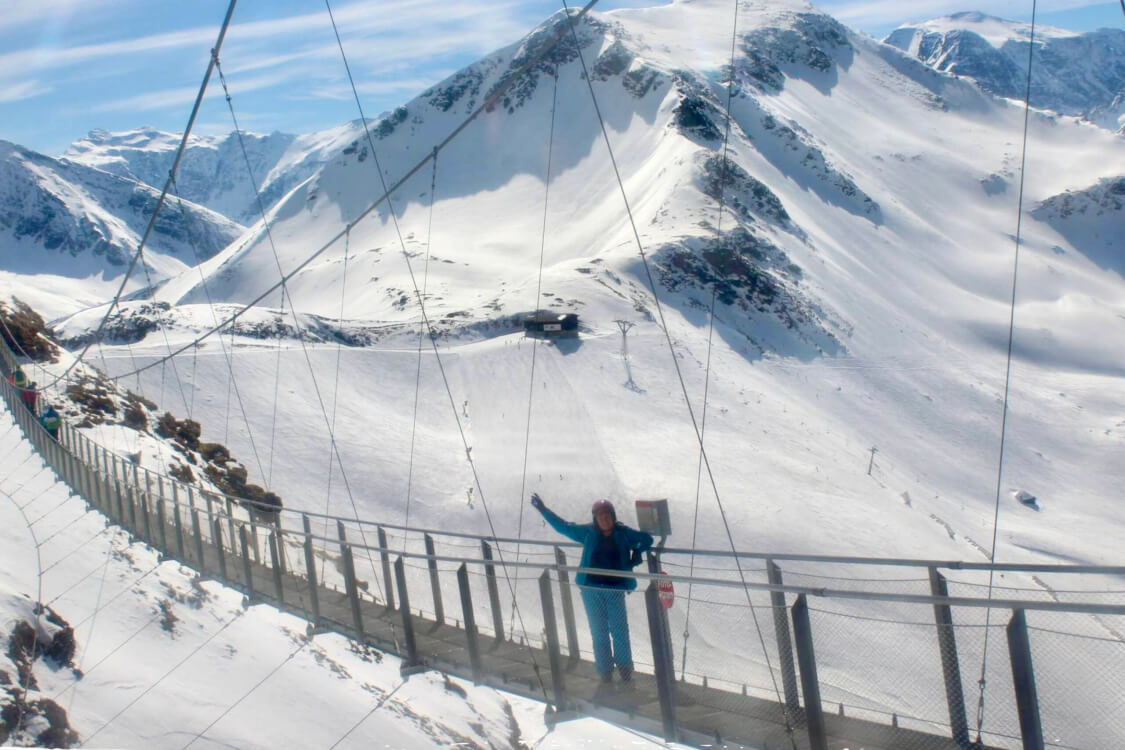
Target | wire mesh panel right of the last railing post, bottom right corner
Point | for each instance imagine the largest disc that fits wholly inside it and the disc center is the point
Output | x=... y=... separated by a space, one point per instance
x=1081 y=679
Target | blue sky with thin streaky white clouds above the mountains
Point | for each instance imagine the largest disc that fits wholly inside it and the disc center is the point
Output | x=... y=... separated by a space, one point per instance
x=69 y=67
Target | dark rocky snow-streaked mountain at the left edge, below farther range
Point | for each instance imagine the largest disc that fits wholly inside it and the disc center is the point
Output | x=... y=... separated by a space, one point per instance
x=74 y=221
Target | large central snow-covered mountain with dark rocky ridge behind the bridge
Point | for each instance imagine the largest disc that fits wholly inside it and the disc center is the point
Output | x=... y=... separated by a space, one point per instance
x=867 y=305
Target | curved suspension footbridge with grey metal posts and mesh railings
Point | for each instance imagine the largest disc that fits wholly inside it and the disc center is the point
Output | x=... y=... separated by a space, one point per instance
x=884 y=654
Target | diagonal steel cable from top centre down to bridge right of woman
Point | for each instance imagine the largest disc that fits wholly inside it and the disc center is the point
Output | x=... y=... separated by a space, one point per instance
x=676 y=362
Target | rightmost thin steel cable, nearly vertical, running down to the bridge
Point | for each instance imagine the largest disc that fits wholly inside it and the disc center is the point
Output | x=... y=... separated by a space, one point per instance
x=1007 y=374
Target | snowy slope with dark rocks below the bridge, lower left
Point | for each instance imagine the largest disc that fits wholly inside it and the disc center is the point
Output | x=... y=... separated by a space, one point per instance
x=138 y=653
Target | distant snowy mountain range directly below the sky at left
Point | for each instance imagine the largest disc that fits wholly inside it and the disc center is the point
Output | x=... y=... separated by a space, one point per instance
x=213 y=171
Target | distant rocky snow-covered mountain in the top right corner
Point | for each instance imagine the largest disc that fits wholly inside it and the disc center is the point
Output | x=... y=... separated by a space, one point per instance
x=1074 y=74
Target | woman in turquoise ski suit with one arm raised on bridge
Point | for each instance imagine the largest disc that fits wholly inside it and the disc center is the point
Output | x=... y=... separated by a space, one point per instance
x=610 y=546
